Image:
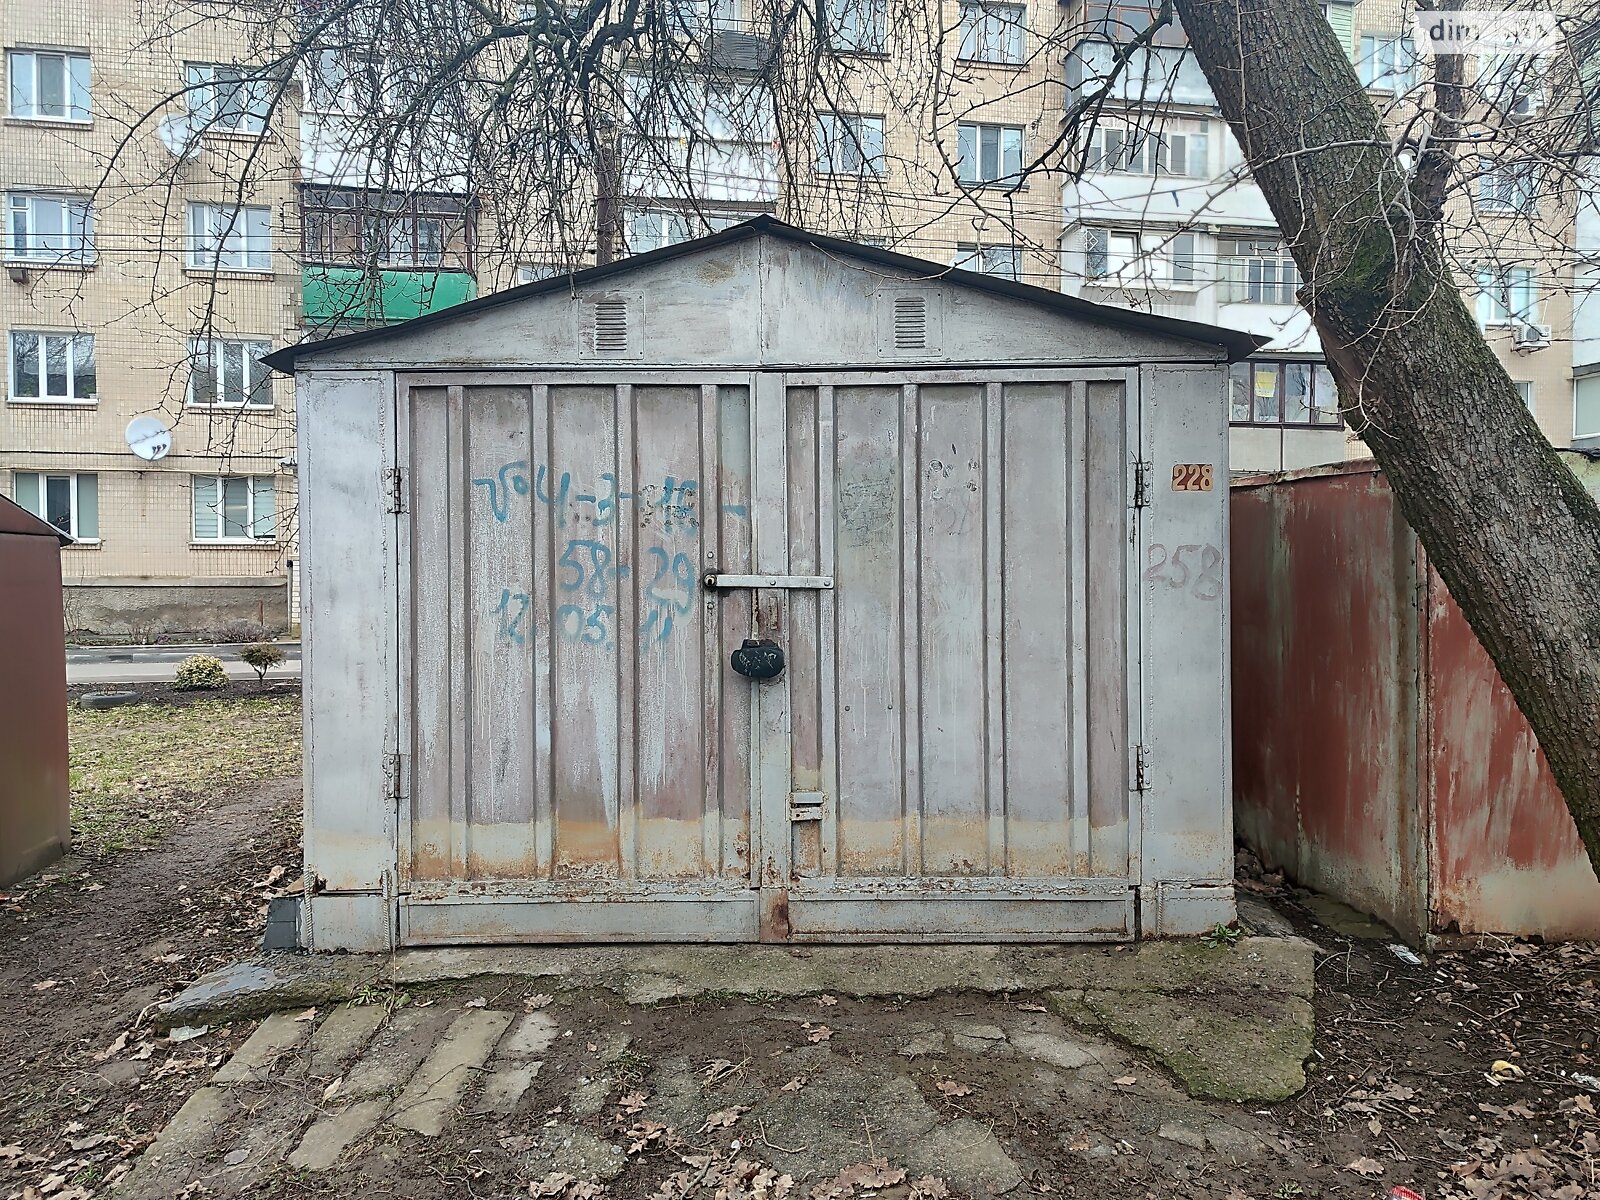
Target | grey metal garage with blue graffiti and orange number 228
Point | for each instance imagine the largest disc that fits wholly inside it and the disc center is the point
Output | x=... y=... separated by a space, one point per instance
x=975 y=521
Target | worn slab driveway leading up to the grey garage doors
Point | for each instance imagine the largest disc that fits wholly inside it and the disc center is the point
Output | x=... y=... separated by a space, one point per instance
x=697 y=1092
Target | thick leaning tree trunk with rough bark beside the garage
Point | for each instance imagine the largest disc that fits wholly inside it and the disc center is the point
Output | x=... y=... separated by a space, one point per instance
x=1508 y=527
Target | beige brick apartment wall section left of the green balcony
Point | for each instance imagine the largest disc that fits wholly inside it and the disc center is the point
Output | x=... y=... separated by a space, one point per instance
x=124 y=298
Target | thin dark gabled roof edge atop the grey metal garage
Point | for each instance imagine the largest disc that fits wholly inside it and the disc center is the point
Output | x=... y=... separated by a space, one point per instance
x=1236 y=343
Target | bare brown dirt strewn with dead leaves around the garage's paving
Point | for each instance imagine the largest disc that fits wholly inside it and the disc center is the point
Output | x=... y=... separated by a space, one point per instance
x=1473 y=1074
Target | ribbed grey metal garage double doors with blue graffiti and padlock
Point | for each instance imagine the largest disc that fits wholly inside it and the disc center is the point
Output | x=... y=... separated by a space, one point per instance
x=943 y=567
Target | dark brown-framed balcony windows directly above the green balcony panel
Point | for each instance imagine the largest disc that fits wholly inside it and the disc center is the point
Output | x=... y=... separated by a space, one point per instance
x=353 y=228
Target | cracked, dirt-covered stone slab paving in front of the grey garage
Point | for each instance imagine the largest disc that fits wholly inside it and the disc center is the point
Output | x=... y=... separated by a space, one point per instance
x=558 y=1081
